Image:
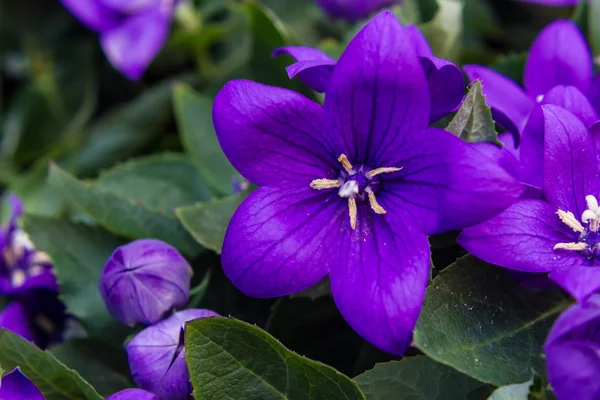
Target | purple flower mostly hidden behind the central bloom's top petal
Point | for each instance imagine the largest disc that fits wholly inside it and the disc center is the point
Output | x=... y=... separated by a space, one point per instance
x=445 y=80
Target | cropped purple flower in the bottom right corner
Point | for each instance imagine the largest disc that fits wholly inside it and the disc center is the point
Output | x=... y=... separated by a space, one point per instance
x=572 y=356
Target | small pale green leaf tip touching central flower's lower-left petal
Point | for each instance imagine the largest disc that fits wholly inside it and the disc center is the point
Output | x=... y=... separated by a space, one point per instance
x=207 y=222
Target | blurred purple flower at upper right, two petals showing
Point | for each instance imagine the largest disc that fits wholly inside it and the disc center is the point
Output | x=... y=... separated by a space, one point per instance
x=559 y=56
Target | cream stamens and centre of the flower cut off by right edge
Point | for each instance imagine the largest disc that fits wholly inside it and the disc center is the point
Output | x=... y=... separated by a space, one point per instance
x=588 y=241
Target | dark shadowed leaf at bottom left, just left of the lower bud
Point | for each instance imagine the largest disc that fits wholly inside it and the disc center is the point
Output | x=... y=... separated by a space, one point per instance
x=105 y=368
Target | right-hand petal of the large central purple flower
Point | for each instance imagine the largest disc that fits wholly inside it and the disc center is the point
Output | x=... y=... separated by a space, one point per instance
x=446 y=183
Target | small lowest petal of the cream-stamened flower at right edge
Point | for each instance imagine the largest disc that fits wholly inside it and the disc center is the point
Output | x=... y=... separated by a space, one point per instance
x=580 y=281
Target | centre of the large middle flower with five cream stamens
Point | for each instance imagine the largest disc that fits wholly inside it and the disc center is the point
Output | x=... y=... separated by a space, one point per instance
x=355 y=183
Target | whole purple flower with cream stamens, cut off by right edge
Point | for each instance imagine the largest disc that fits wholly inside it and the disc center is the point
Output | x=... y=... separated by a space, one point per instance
x=561 y=233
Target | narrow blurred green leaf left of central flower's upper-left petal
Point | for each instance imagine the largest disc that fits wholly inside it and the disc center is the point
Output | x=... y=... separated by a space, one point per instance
x=194 y=118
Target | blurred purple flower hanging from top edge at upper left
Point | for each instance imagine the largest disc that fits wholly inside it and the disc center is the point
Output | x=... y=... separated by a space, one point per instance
x=132 y=32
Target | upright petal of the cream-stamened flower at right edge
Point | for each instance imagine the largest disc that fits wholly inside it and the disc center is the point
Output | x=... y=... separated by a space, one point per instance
x=570 y=164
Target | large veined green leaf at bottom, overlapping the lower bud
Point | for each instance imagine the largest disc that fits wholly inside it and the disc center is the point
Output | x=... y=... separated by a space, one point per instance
x=231 y=359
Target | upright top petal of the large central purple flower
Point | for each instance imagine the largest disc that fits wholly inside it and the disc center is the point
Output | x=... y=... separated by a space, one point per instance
x=378 y=94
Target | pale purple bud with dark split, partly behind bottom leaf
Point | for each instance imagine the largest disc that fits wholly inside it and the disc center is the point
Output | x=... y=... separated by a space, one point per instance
x=157 y=356
